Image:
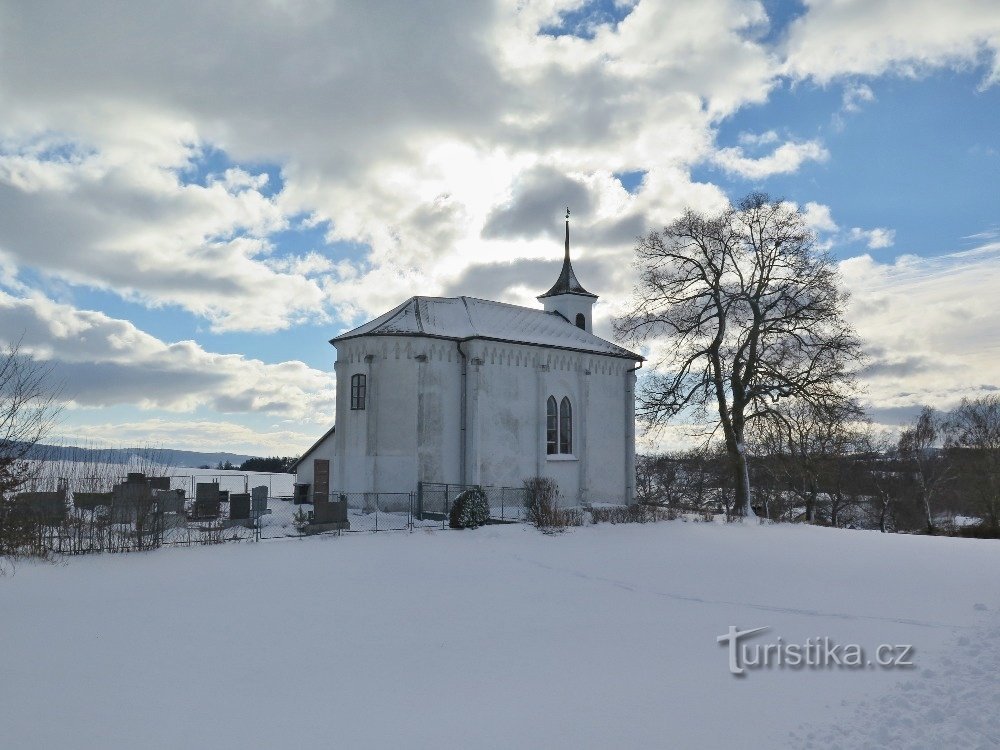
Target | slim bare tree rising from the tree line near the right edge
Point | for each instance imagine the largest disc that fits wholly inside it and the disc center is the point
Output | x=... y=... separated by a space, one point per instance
x=928 y=467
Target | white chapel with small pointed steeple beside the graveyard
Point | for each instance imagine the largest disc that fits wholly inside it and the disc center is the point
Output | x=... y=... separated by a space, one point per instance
x=470 y=391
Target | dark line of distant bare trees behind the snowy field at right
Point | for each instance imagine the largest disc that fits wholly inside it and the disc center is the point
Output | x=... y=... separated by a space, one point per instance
x=942 y=475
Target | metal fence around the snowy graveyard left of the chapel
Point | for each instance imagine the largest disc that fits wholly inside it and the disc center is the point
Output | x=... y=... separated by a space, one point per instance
x=75 y=523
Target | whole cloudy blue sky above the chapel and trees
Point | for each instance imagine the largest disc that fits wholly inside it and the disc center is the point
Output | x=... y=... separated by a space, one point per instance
x=195 y=197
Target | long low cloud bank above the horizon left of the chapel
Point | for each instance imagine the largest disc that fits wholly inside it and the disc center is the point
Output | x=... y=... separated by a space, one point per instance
x=104 y=361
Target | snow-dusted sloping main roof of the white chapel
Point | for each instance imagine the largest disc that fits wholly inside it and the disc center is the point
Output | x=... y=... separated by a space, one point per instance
x=470 y=318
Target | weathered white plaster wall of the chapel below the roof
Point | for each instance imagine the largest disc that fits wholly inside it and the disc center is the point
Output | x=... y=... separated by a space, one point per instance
x=411 y=428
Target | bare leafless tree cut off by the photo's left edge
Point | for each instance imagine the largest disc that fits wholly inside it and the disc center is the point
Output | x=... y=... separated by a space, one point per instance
x=29 y=408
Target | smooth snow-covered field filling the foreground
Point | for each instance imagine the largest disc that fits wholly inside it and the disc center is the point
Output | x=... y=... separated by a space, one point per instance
x=602 y=637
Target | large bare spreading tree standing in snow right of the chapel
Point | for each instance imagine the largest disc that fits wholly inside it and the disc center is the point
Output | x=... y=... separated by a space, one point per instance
x=749 y=311
